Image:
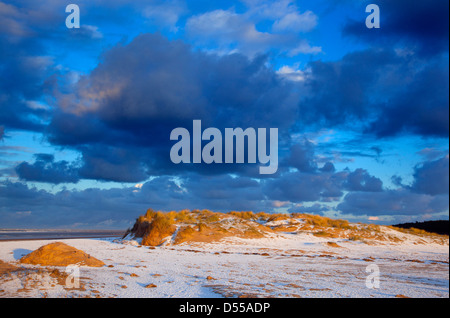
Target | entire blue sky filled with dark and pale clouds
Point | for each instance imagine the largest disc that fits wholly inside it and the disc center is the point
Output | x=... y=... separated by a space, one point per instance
x=86 y=113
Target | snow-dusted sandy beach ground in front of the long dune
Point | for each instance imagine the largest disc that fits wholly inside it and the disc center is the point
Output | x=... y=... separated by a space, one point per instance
x=286 y=265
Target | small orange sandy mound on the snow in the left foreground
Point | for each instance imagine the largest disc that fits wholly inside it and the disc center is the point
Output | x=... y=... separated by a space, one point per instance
x=60 y=254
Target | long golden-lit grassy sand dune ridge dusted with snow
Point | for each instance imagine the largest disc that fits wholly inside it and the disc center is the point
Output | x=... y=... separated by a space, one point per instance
x=154 y=227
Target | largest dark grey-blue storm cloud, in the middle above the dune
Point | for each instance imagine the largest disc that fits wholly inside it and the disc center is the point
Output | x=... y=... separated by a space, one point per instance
x=143 y=90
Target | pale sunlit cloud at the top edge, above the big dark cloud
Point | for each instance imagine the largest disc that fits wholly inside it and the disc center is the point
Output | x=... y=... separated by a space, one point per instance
x=229 y=31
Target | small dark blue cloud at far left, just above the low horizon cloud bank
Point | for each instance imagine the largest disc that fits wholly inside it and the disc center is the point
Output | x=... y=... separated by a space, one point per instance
x=45 y=169
